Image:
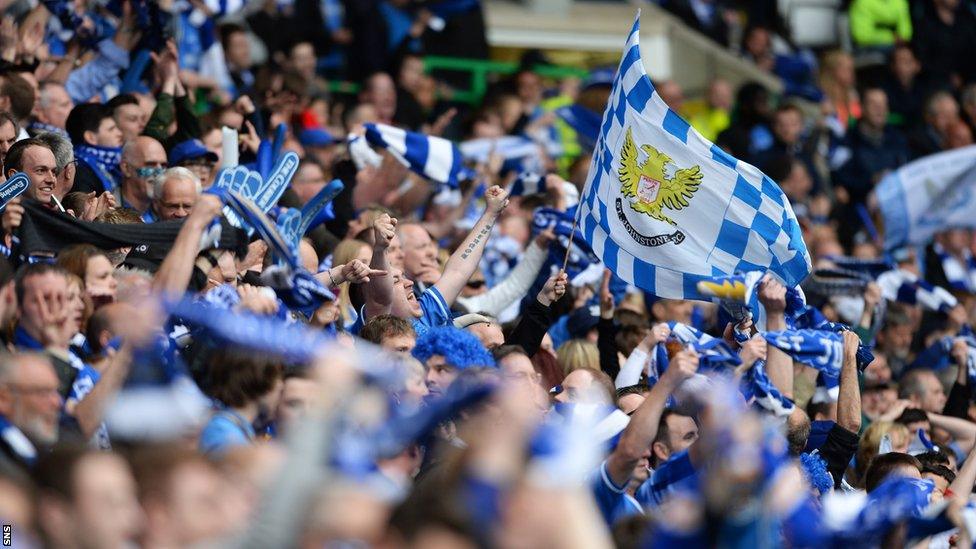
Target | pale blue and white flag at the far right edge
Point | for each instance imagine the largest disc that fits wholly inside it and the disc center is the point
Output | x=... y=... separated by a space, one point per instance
x=928 y=195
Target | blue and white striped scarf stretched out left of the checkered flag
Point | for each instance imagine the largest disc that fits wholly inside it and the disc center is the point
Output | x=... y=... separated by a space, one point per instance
x=435 y=158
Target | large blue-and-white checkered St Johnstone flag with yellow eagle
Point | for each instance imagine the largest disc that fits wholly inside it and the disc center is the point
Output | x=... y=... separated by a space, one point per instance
x=664 y=207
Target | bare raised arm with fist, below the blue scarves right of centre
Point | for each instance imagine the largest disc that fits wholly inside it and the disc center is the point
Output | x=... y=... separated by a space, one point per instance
x=642 y=429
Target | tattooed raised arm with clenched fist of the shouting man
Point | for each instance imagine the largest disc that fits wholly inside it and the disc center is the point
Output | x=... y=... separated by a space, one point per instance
x=463 y=262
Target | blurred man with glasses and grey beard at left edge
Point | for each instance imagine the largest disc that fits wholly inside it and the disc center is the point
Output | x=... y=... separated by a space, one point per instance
x=29 y=407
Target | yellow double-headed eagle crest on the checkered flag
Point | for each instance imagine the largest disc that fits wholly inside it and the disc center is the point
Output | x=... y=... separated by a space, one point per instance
x=648 y=184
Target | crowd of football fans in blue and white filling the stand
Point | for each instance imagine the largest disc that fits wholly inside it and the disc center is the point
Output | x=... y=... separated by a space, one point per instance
x=462 y=386
